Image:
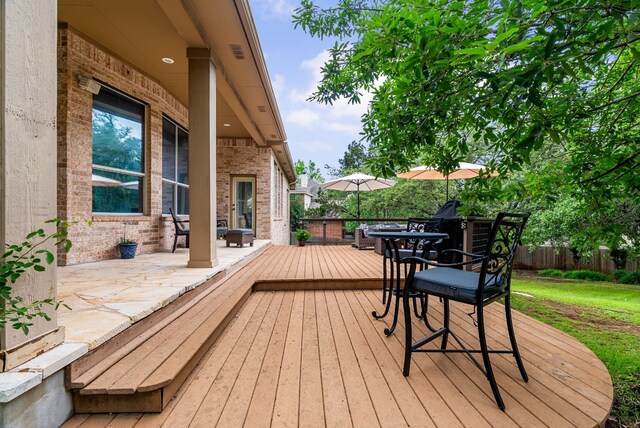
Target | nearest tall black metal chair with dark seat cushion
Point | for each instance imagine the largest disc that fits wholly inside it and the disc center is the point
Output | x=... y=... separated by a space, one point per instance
x=478 y=289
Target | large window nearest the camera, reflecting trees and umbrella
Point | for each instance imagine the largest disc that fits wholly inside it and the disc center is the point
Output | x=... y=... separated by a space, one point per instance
x=118 y=174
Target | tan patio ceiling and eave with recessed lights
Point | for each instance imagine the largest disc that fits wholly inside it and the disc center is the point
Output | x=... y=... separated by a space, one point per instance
x=142 y=32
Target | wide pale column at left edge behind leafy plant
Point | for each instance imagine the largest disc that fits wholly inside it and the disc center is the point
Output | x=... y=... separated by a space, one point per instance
x=28 y=96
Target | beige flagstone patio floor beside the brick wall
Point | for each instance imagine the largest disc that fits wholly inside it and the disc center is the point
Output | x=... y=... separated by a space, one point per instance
x=108 y=296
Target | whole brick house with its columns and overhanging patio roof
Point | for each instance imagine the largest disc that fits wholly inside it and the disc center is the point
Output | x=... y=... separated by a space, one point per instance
x=117 y=111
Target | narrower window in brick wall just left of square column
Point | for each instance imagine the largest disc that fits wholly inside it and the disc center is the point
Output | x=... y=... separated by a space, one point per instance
x=175 y=168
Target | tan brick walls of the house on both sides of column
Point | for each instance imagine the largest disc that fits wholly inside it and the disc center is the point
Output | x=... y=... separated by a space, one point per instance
x=78 y=56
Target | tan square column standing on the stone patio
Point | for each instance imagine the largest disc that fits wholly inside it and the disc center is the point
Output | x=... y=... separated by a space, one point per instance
x=202 y=159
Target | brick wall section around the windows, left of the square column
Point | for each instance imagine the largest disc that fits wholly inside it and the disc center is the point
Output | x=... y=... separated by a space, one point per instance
x=78 y=56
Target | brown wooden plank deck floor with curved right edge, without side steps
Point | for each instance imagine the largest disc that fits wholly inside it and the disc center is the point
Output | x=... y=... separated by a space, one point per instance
x=317 y=358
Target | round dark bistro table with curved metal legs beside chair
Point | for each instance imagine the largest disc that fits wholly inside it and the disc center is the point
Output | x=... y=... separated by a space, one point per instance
x=391 y=240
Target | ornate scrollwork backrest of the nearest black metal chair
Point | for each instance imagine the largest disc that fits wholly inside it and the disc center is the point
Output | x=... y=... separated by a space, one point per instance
x=500 y=251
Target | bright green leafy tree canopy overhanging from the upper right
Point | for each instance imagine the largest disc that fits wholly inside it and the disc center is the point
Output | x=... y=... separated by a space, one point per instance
x=515 y=78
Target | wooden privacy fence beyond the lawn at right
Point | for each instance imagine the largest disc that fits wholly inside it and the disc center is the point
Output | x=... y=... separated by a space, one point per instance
x=561 y=258
